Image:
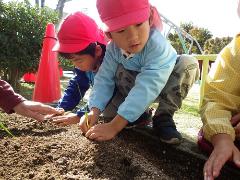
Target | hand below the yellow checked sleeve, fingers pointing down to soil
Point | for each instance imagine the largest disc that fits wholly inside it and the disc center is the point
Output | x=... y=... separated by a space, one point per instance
x=224 y=150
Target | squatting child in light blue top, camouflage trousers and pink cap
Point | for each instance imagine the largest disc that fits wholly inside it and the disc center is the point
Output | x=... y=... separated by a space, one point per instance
x=143 y=66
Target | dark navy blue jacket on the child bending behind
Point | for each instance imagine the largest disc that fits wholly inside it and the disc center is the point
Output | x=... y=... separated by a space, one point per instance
x=76 y=90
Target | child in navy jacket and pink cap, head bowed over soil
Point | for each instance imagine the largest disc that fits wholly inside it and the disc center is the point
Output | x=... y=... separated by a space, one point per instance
x=83 y=43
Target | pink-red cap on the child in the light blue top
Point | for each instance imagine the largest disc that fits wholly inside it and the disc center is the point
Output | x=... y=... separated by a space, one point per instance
x=117 y=14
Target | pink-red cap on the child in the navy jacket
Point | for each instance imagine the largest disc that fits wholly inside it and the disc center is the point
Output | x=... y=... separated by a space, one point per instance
x=76 y=32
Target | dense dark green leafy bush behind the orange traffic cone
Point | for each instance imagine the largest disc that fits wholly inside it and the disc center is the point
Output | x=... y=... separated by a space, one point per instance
x=22 y=29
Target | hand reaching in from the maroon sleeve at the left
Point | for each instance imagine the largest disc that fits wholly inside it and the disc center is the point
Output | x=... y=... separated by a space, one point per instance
x=36 y=110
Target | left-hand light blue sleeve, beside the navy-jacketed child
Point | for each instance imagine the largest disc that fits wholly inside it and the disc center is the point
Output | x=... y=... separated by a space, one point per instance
x=104 y=82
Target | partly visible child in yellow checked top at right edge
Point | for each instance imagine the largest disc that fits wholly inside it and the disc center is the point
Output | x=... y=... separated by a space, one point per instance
x=220 y=111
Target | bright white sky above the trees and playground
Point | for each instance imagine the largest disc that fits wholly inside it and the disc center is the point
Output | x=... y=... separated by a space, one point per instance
x=218 y=16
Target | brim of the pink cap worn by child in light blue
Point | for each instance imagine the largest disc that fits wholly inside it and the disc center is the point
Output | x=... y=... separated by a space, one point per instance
x=125 y=20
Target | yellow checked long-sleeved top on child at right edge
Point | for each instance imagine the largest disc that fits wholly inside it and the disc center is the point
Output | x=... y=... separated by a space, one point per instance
x=222 y=92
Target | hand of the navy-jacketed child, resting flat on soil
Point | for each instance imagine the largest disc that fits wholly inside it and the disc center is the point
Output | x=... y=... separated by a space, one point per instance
x=66 y=119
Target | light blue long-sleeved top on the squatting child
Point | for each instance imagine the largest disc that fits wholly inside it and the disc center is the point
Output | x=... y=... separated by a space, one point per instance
x=154 y=64
